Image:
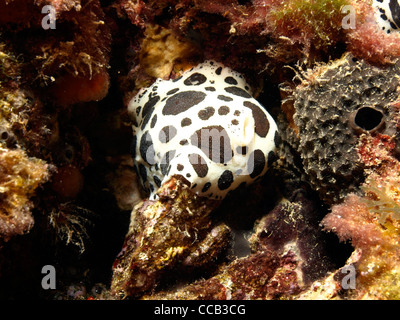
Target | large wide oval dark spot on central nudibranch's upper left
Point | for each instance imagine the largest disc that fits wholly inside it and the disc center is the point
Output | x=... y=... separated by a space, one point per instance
x=182 y=101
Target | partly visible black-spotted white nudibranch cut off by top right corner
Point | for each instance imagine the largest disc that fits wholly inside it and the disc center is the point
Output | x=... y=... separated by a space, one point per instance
x=387 y=13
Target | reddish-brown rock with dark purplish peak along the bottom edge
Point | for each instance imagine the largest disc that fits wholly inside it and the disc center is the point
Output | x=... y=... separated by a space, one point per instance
x=288 y=254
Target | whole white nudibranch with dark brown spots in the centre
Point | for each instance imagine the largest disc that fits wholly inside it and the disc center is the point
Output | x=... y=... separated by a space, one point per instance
x=204 y=126
